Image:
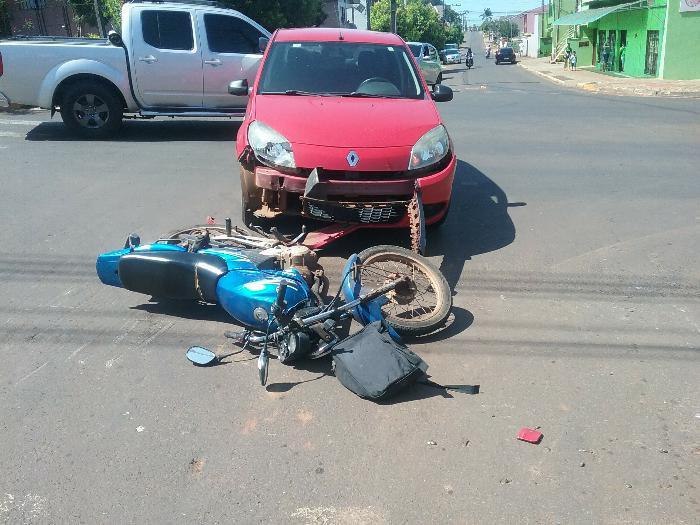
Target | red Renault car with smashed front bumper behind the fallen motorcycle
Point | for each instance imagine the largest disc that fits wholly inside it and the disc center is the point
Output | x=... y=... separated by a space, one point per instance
x=342 y=127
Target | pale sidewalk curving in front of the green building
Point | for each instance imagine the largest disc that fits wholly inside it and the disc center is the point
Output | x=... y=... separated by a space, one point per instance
x=591 y=80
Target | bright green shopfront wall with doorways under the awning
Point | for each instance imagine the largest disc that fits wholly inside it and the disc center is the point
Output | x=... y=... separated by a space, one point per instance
x=637 y=22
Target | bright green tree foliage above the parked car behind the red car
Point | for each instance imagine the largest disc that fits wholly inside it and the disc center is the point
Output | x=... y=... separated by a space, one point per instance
x=416 y=21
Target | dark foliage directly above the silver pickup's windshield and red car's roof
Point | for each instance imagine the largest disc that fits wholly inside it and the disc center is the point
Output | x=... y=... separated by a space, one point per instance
x=274 y=14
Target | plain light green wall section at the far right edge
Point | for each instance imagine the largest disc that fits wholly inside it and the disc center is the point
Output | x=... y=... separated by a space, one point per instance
x=682 y=46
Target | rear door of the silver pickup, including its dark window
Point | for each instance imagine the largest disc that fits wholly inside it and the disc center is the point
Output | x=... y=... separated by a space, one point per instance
x=166 y=61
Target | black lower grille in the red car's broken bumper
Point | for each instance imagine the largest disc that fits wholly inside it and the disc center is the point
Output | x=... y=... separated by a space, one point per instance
x=356 y=212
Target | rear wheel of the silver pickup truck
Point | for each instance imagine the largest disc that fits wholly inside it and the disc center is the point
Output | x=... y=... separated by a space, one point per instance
x=91 y=110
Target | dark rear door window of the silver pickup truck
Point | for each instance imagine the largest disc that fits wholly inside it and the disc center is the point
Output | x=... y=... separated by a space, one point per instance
x=167 y=29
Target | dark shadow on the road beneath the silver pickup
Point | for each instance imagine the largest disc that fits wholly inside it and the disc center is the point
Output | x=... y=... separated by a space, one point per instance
x=147 y=131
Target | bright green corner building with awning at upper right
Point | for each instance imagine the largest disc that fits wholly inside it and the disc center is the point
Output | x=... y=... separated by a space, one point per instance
x=654 y=38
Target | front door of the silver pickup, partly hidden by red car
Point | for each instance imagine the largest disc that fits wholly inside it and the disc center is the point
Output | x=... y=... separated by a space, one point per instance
x=230 y=52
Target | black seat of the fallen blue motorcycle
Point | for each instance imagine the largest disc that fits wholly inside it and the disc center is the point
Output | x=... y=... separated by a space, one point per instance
x=172 y=275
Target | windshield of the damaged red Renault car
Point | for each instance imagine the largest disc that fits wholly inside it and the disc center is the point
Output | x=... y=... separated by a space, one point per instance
x=339 y=69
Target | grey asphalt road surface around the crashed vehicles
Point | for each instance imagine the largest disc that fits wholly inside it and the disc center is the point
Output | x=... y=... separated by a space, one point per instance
x=572 y=247
